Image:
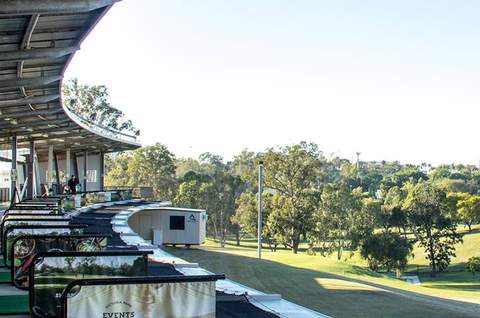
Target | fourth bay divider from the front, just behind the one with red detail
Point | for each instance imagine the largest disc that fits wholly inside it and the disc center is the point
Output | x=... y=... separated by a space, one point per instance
x=17 y=230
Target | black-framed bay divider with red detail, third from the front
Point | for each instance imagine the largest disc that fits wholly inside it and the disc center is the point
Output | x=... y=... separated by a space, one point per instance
x=25 y=247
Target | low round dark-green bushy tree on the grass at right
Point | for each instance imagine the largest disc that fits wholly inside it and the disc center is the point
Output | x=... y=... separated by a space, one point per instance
x=386 y=249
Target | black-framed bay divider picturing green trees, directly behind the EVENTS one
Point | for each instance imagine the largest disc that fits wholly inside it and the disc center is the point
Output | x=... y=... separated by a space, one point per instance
x=51 y=272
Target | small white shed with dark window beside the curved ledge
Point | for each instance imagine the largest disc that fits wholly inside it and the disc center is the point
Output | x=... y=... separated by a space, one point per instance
x=170 y=226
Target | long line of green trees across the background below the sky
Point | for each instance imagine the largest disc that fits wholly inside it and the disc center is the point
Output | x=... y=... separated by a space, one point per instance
x=380 y=209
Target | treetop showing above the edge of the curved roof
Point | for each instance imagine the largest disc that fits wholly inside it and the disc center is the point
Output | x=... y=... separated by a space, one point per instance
x=91 y=103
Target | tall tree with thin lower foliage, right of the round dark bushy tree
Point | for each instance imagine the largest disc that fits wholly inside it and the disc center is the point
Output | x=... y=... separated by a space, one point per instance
x=431 y=217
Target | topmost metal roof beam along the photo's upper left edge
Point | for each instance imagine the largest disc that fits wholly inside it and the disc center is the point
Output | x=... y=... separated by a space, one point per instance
x=25 y=7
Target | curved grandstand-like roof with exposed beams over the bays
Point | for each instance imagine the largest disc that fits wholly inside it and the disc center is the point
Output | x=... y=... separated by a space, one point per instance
x=38 y=39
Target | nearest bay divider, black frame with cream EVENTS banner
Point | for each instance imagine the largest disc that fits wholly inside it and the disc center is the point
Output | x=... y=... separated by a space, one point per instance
x=148 y=297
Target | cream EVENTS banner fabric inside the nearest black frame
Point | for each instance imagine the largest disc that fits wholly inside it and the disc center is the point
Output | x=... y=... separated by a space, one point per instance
x=160 y=300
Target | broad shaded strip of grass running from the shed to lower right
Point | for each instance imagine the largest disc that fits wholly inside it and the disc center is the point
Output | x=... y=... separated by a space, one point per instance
x=331 y=294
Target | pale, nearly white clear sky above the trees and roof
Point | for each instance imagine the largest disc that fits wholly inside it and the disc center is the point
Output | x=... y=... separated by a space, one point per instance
x=395 y=80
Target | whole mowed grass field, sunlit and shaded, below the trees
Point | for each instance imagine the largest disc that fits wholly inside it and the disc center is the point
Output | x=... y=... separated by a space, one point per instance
x=347 y=288
